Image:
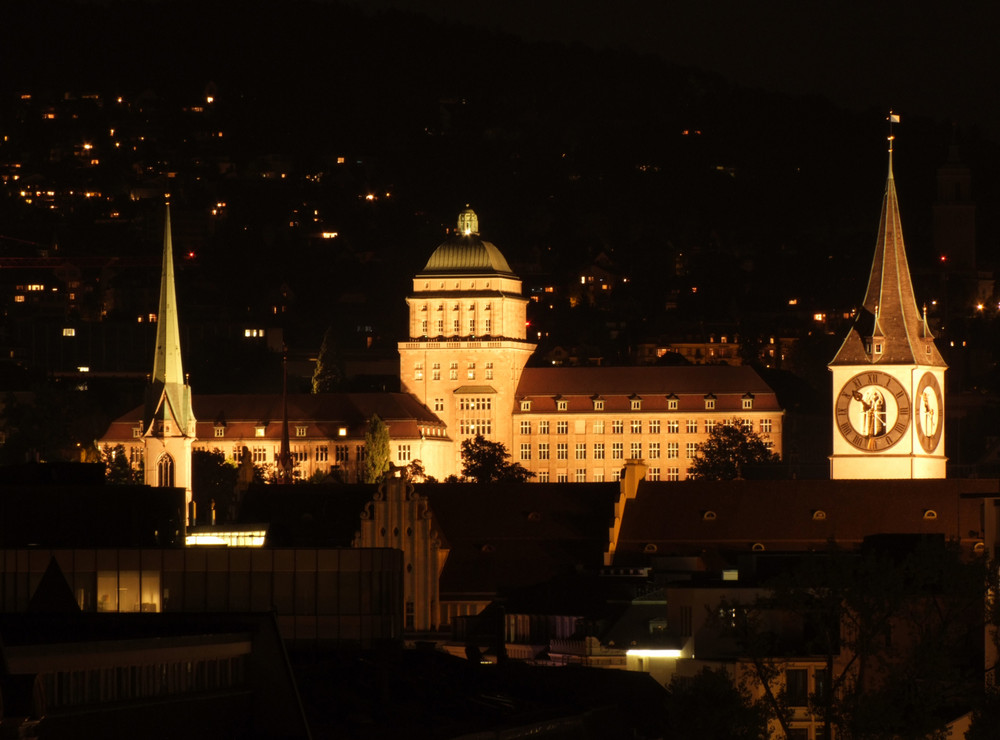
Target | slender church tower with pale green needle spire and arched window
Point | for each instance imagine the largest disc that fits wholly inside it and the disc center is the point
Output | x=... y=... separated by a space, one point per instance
x=168 y=421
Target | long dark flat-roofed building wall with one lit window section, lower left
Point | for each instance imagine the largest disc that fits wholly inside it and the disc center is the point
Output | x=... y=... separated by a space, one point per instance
x=328 y=596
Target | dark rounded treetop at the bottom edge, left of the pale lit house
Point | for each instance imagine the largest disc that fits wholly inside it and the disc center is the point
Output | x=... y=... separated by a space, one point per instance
x=710 y=705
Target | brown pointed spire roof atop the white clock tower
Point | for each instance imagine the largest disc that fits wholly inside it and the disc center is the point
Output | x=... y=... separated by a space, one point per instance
x=889 y=315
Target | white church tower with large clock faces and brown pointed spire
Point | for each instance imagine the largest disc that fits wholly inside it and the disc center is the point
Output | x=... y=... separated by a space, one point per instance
x=888 y=377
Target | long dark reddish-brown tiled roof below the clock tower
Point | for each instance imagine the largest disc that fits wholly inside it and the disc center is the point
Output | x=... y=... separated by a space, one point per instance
x=685 y=518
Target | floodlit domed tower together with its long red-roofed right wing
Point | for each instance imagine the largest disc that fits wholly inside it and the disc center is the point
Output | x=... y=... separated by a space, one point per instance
x=465 y=360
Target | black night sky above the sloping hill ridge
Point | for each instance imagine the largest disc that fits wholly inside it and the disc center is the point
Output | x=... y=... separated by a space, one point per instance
x=938 y=60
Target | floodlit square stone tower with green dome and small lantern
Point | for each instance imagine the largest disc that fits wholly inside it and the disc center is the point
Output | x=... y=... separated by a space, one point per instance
x=467 y=341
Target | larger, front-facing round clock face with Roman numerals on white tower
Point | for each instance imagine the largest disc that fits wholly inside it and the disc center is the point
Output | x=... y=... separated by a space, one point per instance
x=873 y=411
